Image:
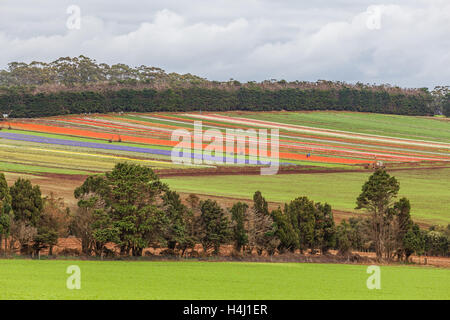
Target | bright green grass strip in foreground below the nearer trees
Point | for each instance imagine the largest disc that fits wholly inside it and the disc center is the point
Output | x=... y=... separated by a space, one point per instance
x=31 y=279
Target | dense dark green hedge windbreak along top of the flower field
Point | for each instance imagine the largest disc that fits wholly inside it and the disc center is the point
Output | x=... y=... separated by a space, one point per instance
x=24 y=104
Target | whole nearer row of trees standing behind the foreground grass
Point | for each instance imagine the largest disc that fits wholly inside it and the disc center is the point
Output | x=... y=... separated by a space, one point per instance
x=130 y=209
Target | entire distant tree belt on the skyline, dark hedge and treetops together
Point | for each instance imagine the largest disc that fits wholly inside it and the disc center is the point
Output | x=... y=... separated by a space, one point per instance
x=81 y=85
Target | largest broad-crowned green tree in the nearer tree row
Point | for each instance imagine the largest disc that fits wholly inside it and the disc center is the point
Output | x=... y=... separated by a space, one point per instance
x=125 y=206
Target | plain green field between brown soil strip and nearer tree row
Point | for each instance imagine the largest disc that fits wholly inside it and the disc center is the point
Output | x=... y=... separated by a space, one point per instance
x=427 y=189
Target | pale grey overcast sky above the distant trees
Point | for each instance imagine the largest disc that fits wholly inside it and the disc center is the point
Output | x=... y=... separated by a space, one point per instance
x=404 y=42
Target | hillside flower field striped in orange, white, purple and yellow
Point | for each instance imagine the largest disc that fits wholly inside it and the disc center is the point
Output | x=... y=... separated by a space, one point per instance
x=96 y=142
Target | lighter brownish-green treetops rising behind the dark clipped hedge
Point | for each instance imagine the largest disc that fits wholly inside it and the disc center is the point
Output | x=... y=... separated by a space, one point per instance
x=67 y=73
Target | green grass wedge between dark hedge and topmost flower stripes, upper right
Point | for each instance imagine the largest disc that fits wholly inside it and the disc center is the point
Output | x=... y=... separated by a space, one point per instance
x=419 y=128
